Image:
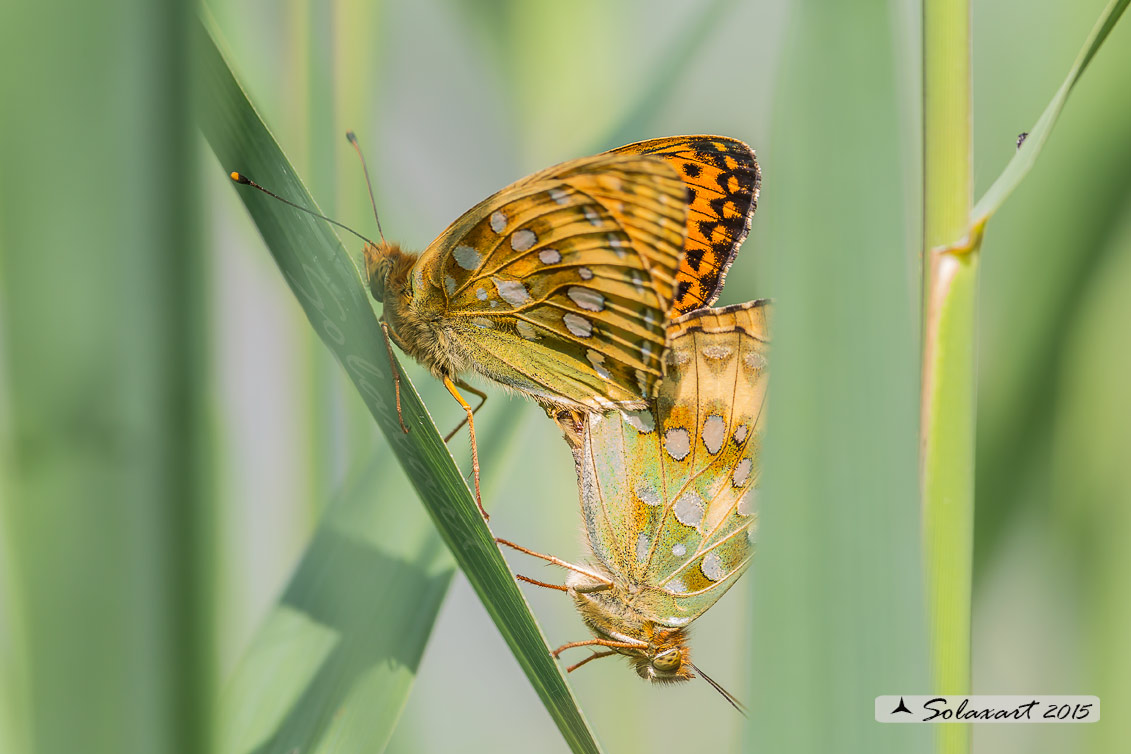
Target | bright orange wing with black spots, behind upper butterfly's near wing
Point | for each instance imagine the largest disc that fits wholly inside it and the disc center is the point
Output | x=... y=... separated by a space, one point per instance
x=723 y=181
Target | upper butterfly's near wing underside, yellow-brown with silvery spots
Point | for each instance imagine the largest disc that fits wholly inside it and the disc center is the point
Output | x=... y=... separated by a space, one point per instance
x=560 y=284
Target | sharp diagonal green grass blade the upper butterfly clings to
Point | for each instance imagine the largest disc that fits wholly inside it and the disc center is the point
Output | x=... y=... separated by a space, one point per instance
x=330 y=288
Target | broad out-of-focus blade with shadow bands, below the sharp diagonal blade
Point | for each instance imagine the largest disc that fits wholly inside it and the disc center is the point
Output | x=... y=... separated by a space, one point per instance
x=332 y=668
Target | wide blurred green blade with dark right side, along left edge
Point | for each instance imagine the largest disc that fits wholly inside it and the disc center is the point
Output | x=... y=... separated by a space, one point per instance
x=106 y=517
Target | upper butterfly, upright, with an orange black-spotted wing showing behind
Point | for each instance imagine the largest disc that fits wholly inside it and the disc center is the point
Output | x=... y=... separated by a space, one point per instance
x=560 y=285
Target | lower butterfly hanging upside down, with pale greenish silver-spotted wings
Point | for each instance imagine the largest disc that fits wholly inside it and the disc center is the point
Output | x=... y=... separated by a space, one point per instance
x=668 y=496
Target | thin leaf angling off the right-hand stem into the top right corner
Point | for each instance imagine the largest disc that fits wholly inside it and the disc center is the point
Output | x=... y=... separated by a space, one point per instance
x=1028 y=154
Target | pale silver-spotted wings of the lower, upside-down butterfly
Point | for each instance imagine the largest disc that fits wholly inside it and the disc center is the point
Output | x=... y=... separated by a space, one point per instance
x=669 y=499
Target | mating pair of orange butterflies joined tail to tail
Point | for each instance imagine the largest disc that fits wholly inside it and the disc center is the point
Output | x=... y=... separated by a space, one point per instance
x=569 y=287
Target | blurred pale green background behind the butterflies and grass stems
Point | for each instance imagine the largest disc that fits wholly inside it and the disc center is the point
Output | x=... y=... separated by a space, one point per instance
x=172 y=431
